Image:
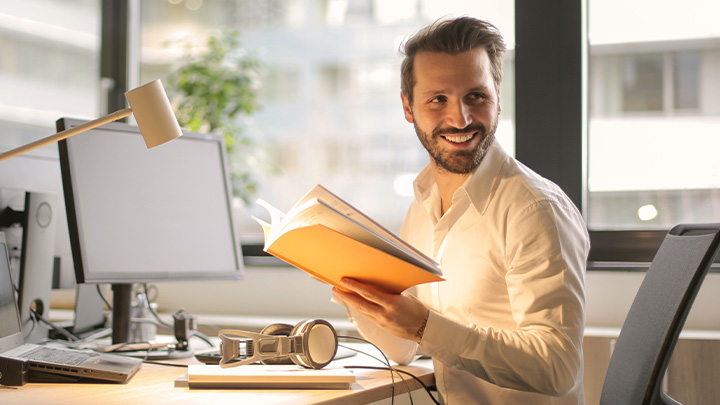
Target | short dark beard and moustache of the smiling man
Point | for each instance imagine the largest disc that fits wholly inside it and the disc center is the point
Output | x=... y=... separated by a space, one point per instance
x=458 y=162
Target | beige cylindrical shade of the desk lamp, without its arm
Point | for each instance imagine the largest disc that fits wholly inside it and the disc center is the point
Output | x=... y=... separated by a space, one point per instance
x=153 y=113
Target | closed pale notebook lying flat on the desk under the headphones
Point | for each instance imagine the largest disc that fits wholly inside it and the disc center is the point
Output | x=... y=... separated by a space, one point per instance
x=267 y=376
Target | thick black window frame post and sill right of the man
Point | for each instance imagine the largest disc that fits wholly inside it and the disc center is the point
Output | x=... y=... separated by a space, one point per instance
x=552 y=117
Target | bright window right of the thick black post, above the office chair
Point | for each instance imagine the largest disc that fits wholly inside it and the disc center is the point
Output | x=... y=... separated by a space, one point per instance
x=654 y=115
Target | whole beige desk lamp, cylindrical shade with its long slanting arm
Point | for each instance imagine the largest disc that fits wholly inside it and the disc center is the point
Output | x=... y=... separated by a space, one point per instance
x=152 y=110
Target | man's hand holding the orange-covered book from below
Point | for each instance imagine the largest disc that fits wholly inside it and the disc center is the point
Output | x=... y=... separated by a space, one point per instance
x=400 y=314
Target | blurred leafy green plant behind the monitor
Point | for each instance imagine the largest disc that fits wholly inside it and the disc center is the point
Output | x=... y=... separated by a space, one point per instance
x=214 y=89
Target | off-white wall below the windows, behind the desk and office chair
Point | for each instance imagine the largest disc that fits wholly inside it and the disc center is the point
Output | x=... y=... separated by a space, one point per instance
x=286 y=292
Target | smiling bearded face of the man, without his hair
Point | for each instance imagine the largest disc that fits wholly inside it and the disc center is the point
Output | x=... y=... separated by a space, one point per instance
x=455 y=108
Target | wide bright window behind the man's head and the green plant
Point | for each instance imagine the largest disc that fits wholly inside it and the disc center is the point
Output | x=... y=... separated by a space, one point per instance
x=330 y=95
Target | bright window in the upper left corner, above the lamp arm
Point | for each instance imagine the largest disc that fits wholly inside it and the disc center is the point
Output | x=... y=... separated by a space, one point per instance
x=37 y=34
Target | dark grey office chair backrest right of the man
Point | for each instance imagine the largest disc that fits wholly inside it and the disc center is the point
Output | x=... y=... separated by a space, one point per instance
x=657 y=315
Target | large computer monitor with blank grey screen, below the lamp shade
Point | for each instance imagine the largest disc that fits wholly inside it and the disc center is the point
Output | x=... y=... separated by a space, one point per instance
x=139 y=215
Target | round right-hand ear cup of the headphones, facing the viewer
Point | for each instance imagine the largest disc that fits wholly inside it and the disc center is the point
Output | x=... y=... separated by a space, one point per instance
x=319 y=341
